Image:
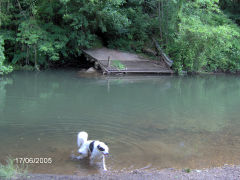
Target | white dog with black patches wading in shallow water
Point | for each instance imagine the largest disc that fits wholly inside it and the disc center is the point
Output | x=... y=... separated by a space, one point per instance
x=95 y=149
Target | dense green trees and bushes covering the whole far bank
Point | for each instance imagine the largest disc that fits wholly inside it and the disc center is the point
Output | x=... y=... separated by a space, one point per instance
x=199 y=35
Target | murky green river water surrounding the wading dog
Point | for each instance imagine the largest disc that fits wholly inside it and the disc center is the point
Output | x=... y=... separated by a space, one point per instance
x=149 y=122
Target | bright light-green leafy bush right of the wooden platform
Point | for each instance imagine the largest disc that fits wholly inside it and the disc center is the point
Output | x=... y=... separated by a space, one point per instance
x=207 y=40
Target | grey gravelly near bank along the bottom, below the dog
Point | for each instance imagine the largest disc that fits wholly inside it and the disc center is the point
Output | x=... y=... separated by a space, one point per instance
x=229 y=172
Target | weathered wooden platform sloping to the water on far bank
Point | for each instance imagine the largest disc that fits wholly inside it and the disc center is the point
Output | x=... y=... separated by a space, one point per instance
x=114 y=61
